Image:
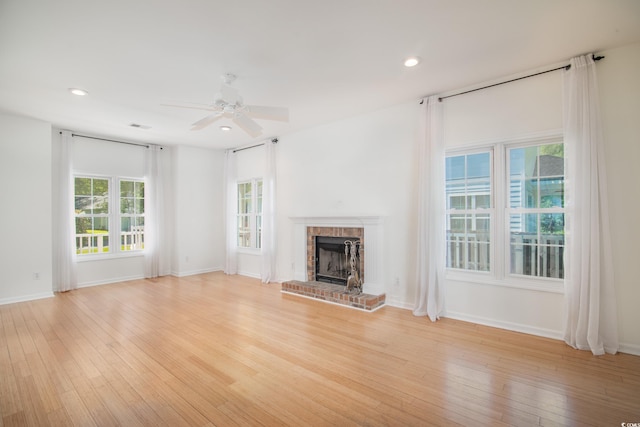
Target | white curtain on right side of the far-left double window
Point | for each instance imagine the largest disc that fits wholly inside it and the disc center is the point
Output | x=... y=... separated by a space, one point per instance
x=154 y=244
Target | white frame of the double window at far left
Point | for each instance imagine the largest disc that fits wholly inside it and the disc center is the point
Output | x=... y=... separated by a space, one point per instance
x=114 y=218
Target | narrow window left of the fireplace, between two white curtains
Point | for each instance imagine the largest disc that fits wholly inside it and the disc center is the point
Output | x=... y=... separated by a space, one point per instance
x=250 y=214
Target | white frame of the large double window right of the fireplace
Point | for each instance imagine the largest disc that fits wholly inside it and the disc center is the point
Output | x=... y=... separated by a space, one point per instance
x=499 y=274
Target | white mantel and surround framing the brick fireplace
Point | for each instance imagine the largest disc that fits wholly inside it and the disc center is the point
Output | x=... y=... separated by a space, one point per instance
x=373 y=246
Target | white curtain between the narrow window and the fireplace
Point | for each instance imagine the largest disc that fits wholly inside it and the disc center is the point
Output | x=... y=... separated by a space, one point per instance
x=268 y=250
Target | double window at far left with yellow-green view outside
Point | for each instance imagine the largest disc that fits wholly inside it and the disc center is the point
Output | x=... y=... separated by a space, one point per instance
x=96 y=220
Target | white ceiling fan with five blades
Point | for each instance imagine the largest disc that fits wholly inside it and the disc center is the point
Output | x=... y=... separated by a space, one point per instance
x=229 y=104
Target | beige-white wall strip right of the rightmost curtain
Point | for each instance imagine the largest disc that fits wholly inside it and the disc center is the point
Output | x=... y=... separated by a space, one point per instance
x=619 y=85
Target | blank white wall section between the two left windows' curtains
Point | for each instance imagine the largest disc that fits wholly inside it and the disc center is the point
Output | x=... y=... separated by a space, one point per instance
x=198 y=213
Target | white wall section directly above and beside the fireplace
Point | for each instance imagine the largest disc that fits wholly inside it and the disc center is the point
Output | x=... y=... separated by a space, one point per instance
x=361 y=166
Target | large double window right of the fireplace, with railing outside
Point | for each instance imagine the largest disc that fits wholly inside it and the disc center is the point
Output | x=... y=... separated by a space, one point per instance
x=505 y=210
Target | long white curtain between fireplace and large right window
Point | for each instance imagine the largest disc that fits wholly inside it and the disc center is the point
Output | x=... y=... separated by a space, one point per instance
x=431 y=233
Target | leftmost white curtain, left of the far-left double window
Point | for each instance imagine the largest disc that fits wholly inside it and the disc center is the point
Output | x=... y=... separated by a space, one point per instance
x=64 y=257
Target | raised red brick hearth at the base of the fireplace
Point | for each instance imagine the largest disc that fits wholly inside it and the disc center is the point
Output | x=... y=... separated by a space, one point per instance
x=333 y=293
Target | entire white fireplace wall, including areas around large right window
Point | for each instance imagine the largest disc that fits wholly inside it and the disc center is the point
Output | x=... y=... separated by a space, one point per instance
x=368 y=168
